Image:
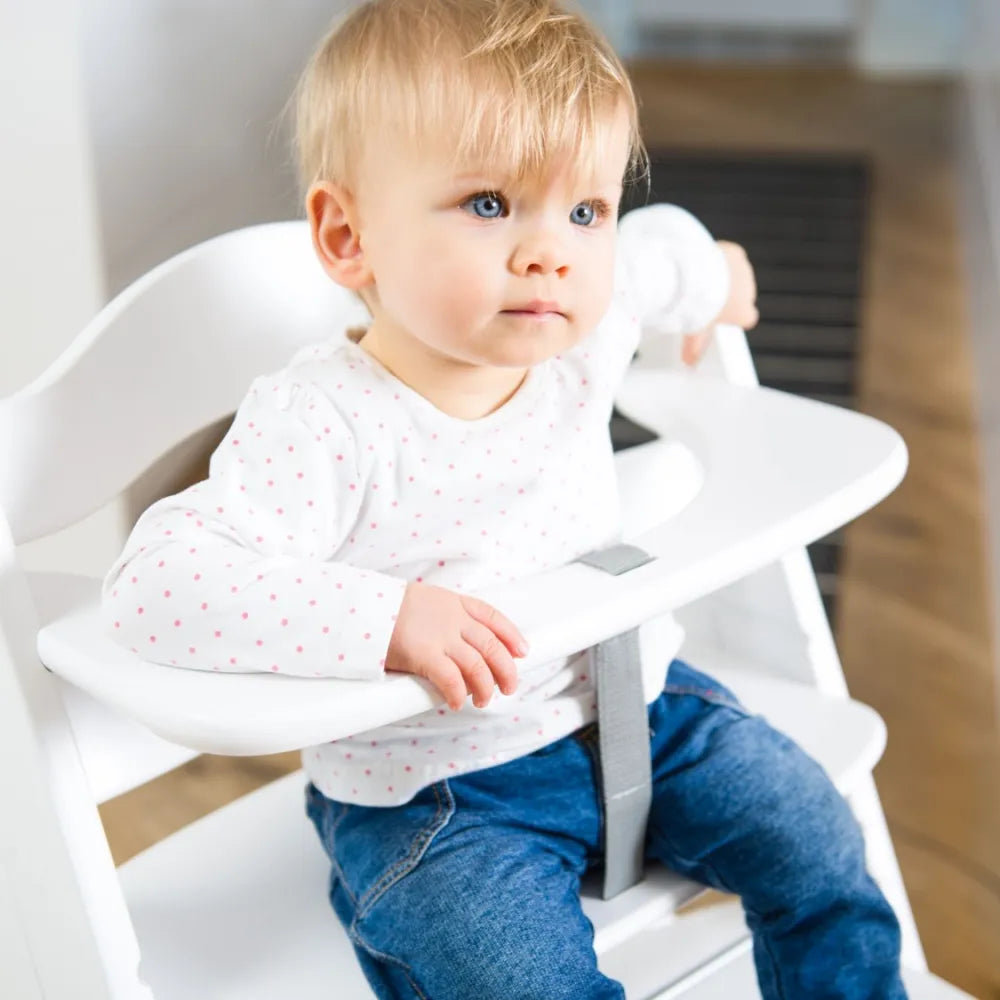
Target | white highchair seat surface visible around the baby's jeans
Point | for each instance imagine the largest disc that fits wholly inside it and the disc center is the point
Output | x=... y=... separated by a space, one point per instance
x=204 y=927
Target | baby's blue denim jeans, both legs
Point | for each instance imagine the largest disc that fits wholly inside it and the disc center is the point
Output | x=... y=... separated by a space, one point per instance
x=471 y=889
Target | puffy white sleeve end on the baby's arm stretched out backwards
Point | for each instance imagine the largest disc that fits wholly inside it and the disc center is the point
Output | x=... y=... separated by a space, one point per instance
x=671 y=269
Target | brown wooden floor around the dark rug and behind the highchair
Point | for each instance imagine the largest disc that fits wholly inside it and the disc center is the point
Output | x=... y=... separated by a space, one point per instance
x=912 y=623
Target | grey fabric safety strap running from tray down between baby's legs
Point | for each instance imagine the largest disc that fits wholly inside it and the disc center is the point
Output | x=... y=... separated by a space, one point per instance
x=623 y=727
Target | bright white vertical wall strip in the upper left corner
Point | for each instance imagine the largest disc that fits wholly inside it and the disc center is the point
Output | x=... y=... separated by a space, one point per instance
x=50 y=259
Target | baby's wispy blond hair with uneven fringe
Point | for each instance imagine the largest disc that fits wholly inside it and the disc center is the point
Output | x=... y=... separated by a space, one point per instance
x=514 y=84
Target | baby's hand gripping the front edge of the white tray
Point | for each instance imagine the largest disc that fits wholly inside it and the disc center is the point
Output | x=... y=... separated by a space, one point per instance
x=460 y=644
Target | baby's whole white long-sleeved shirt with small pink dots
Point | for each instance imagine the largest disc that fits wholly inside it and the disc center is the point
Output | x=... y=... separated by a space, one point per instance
x=337 y=484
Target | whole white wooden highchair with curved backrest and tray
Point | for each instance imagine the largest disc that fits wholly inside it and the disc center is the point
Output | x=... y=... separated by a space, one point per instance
x=234 y=905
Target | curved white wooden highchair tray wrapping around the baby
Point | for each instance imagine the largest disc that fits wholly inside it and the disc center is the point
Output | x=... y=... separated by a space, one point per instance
x=779 y=471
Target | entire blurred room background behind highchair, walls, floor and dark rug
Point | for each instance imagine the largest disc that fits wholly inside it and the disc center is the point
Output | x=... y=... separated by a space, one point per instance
x=852 y=145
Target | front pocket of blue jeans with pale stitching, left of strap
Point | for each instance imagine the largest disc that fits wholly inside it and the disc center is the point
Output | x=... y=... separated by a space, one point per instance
x=375 y=846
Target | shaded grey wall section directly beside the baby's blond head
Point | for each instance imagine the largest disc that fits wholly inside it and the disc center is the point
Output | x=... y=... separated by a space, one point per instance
x=184 y=100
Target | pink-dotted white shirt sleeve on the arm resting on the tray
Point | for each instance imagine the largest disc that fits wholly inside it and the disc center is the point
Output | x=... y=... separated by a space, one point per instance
x=241 y=572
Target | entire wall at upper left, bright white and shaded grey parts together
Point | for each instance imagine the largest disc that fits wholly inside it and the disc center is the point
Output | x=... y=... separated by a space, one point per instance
x=130 y=131
